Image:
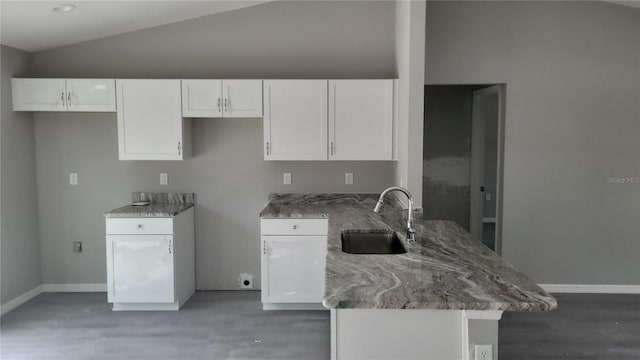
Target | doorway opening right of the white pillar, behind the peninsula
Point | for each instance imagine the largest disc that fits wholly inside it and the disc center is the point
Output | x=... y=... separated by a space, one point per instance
x=463 y=158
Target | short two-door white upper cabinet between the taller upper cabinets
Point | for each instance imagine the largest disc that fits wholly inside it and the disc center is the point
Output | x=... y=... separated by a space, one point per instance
x=222 y=98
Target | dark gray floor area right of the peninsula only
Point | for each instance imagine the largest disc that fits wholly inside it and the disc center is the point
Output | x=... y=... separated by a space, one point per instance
x=585 y=326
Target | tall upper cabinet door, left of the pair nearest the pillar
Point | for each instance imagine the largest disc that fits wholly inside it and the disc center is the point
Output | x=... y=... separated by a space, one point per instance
x=295 y=120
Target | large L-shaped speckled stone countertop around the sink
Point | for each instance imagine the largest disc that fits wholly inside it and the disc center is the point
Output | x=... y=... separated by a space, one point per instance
x=444 y=269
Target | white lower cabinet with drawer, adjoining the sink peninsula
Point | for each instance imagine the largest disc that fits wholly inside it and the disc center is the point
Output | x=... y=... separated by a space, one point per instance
x=293 y=263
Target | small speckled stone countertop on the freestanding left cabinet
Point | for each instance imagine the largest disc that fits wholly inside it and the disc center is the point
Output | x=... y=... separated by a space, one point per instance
x=162 y=205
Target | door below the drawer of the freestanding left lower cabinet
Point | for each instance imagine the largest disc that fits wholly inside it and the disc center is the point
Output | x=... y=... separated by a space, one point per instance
x=140 y=269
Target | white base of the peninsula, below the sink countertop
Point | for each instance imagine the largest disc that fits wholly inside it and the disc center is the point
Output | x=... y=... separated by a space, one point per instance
x=412 y=333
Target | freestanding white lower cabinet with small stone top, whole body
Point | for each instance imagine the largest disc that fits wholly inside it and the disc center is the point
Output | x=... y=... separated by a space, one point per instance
x=150 y=264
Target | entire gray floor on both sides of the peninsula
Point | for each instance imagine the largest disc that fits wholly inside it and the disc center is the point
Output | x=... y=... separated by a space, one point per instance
x=231 y=325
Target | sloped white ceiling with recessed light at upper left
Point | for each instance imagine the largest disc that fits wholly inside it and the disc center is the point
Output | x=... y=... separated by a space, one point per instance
x=32 y=26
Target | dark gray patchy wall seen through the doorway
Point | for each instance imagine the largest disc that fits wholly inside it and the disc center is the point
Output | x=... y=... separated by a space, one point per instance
x=447 y=153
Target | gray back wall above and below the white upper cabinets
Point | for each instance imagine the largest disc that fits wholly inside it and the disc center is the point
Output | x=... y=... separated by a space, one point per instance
x=228 y=174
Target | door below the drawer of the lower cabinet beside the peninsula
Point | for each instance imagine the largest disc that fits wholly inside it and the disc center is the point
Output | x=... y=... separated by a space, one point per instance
x=293 y=269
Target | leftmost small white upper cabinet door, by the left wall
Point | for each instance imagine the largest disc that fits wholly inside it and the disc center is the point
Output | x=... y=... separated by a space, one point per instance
x=39 y=94
